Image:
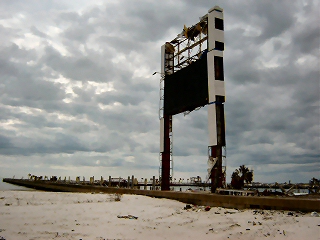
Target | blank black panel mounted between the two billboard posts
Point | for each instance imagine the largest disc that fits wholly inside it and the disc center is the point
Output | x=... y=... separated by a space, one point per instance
x=187 y=88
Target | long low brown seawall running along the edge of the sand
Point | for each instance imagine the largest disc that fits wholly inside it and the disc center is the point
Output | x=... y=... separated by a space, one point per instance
x=207 y=199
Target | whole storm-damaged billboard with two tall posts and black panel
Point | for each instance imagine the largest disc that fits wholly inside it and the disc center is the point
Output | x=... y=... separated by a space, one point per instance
x=192 y=77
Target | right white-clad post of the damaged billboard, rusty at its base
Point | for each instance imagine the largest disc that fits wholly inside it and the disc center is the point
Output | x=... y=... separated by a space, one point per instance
x=216 y=121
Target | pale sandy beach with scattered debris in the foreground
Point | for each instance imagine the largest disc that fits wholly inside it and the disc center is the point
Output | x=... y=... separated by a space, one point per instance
x=48 y=215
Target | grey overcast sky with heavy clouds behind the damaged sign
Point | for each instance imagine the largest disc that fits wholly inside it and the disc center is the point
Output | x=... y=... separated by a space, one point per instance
x=77 y=95
